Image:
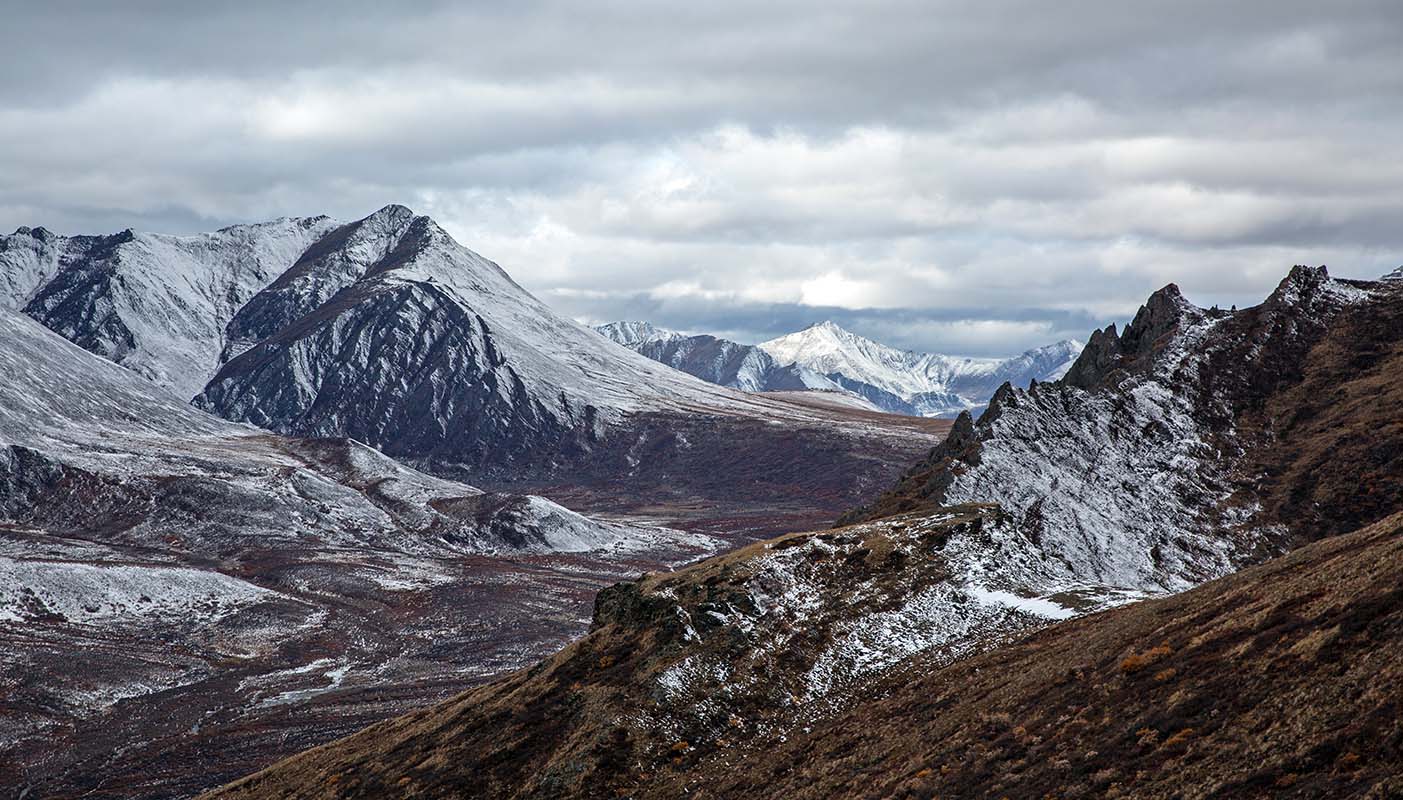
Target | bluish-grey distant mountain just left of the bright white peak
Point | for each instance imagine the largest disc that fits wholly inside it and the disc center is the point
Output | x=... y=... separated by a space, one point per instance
x=715 y=360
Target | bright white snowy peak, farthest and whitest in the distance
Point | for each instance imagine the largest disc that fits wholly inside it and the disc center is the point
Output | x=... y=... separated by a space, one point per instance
x=913 y=382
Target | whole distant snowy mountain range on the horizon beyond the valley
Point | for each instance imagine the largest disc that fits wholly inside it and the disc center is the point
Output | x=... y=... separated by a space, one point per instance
x=828 y=357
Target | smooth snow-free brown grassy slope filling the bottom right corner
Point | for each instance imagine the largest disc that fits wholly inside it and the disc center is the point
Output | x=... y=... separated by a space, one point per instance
x=1280 y=681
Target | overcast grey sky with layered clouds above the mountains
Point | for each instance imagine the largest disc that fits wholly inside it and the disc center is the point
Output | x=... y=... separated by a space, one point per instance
x=960 y=178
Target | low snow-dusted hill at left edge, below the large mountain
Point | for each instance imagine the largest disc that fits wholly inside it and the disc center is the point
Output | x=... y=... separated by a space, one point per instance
x=81 y=439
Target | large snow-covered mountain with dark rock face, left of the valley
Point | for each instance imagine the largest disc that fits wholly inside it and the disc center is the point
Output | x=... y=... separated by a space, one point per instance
x=388 y=332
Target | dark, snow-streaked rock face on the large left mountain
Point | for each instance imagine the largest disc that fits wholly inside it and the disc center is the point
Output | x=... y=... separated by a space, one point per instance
x=406 y=370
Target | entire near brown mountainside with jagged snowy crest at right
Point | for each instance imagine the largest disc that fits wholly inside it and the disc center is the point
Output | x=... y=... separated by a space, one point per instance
x=1254 y=454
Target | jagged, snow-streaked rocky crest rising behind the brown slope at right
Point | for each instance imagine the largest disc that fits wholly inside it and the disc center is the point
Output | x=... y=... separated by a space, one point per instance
x=1157 y=461
